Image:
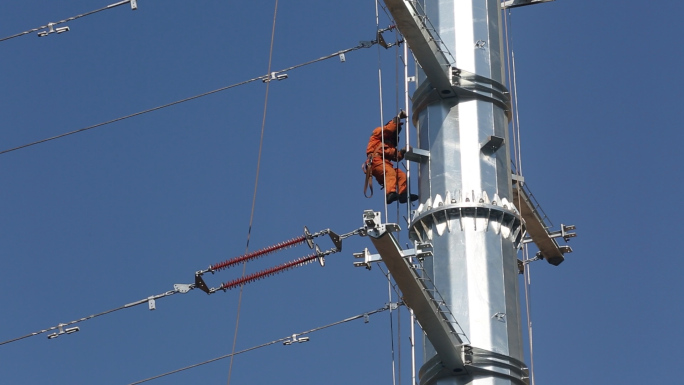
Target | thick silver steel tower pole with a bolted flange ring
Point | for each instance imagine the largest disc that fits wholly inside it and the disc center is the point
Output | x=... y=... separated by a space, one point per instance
x=461 y=109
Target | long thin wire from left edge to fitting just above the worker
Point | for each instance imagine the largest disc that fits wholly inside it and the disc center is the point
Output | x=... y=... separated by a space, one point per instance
x=263 y=77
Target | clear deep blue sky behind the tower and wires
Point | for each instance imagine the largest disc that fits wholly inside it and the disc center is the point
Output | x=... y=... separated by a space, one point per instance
x=113 y=215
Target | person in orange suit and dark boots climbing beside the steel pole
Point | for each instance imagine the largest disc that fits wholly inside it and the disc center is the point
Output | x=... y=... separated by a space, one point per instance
x=381 y=152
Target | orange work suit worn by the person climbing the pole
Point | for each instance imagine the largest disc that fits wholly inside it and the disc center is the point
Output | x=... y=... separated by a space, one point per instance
x=393 y=177
